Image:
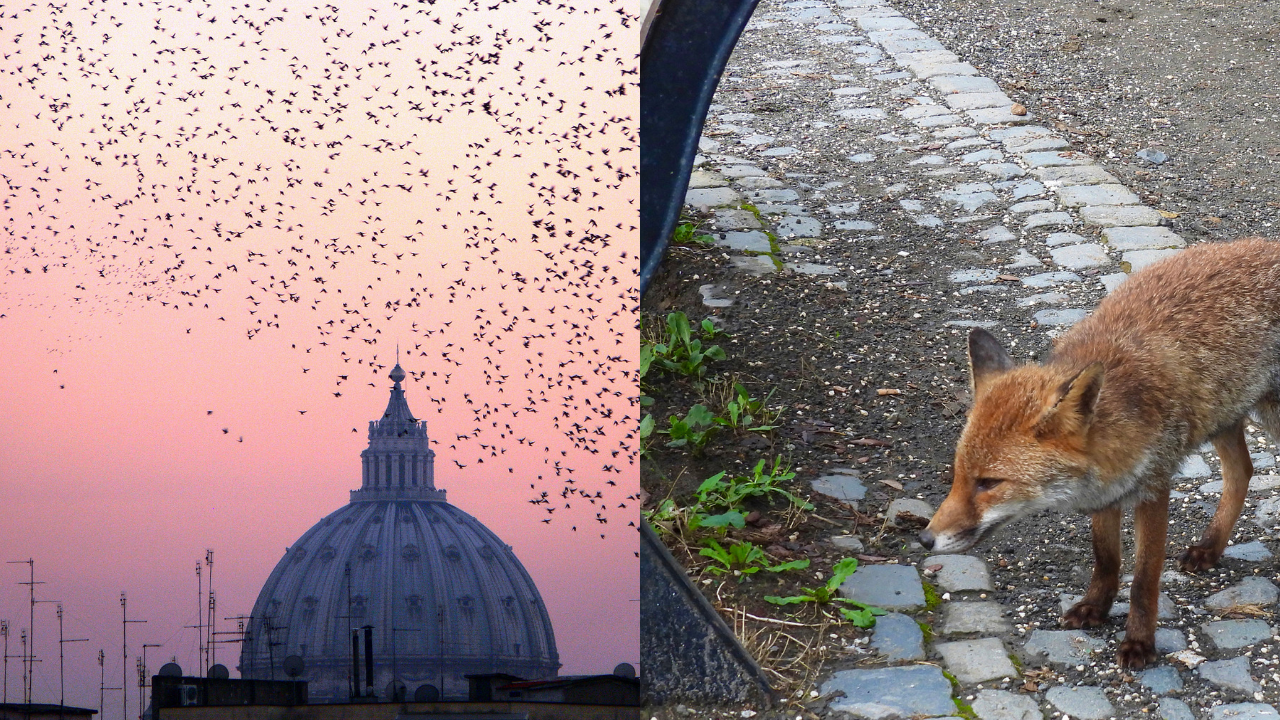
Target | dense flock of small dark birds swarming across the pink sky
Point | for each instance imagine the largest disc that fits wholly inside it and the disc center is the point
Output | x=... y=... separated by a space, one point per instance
x=459 y=175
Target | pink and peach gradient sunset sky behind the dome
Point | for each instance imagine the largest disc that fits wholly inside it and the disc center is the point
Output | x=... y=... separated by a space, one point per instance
x=218 y=216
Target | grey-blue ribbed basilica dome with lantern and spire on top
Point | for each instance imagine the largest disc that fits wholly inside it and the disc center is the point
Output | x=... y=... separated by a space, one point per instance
x=445 y=596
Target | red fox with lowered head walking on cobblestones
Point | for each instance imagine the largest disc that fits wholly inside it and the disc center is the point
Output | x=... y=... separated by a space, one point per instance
x=1178 y=356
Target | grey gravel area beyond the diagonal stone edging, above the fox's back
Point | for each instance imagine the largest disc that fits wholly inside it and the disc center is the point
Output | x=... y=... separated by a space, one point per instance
x=1199 y=81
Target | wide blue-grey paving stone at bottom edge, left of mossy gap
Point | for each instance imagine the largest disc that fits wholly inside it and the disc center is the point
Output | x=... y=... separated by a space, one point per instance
x=913 y=691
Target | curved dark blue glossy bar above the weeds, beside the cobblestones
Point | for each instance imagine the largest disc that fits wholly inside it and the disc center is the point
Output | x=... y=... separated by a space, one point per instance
x=682 y=63
